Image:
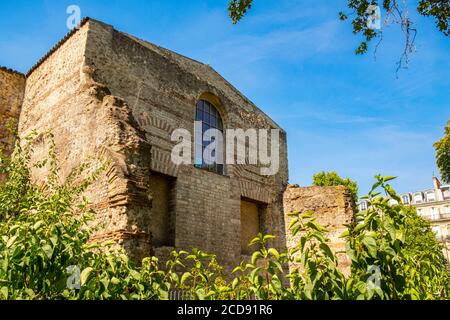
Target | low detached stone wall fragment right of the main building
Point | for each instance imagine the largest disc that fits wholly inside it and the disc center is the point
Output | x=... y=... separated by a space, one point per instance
x=332 y=206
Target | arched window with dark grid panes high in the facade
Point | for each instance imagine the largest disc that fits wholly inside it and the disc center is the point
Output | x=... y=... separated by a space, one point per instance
x=209 y=118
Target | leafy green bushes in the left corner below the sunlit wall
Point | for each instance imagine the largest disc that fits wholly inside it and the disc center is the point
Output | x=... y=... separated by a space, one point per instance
x=44 y=232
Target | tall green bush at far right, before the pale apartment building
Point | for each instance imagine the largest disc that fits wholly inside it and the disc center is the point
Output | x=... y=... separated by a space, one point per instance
x=385 y=237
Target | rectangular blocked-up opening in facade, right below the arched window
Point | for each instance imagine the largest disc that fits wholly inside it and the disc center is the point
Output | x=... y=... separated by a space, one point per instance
x=251 y=217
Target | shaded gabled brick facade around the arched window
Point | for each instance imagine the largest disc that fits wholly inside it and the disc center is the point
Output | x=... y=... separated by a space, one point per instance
x=162 y=89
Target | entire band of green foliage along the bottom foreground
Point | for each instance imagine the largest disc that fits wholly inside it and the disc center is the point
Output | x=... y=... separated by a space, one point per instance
x=45 y=232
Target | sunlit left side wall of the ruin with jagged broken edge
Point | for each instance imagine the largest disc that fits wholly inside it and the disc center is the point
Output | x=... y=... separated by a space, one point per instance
x=89 y=123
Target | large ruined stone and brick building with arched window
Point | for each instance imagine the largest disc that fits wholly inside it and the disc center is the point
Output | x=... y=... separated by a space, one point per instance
x=108 y=94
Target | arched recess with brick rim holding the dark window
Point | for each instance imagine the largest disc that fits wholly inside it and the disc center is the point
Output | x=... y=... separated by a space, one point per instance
x=209 y=114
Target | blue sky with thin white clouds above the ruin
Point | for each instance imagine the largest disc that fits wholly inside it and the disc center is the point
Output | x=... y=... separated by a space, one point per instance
x=295 y=60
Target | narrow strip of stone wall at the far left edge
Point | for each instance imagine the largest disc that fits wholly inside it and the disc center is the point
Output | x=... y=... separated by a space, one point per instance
x=12 y=87
